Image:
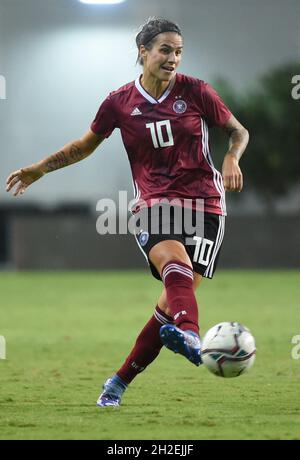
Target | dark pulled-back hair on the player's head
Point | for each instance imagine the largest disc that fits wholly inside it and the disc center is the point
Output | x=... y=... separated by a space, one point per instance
x=150 y=30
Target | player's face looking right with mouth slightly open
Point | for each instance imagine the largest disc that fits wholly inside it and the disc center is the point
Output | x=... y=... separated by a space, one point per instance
x=164 y=57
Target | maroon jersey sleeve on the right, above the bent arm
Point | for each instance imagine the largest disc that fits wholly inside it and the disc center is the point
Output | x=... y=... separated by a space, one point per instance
x=215 y=111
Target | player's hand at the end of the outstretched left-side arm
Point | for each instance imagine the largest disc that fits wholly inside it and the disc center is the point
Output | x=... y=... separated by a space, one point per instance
x=22 y=178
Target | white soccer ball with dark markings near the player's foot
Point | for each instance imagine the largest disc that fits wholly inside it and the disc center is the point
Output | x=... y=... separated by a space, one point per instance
x=228 y=349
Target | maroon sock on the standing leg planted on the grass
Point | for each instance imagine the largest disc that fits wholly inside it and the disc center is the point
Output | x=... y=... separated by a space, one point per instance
x=146 y=348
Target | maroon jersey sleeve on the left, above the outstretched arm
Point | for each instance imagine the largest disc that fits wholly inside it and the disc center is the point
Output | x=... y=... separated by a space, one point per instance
x=105 y=121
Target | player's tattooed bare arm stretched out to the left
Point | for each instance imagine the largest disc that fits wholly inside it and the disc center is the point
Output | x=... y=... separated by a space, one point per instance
x=71 y=153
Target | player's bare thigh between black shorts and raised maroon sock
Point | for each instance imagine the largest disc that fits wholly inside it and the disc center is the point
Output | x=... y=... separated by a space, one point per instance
x=168 y=250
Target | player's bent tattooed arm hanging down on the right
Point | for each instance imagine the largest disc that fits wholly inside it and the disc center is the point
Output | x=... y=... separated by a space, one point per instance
x=238 y=140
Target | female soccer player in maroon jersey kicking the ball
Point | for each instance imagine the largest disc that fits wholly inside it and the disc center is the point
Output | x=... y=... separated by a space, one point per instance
x=164 y=118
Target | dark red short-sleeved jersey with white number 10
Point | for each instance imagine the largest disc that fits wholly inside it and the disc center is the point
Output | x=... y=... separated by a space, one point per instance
x=167 y=139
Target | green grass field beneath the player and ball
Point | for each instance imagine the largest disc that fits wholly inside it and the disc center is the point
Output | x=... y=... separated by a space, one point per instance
x=67 y=332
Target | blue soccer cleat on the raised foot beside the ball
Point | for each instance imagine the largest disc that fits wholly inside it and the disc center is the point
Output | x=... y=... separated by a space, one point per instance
x=187 y=343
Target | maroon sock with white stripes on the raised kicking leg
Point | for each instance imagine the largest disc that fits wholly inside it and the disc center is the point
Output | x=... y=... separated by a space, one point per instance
x=178 y=280
